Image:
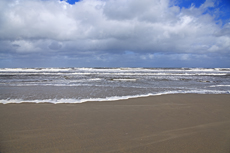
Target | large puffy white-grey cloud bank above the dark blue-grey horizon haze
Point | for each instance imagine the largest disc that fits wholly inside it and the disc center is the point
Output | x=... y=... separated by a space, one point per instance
x=113 y=26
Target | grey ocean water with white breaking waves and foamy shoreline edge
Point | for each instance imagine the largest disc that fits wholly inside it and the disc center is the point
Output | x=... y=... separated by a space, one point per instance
x=76 y=85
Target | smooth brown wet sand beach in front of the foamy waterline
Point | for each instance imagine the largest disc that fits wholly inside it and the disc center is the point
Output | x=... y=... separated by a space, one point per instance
x=170 y=123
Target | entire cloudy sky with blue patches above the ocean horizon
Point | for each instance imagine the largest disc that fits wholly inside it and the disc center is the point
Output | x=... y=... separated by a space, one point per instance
x=114 y=33
